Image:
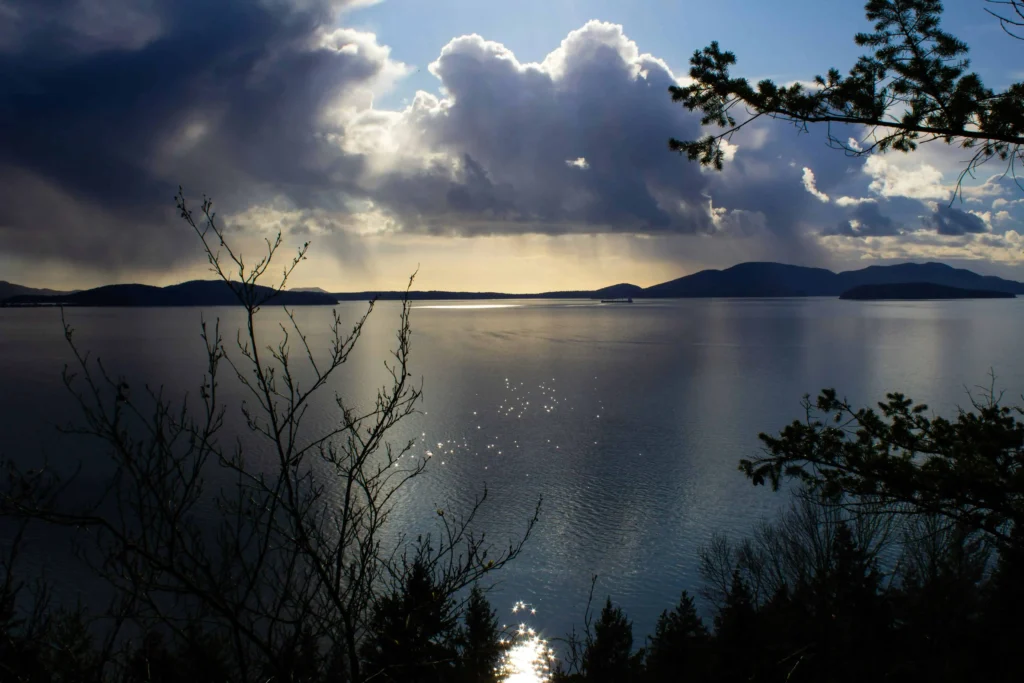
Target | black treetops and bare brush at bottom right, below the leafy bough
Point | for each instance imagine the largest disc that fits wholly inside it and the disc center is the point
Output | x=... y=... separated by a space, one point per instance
x=828 y=594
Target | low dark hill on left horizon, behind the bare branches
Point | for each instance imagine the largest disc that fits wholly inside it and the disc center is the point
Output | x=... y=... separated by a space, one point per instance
x=194 y=293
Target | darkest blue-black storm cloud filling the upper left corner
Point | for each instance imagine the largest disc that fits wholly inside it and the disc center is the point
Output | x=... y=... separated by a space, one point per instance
x=107 y=106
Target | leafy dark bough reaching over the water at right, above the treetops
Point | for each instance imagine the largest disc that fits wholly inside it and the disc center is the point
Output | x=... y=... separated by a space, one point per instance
x=969 y=472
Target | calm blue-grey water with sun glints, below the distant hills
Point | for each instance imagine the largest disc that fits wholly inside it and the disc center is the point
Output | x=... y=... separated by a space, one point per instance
x=628 y=420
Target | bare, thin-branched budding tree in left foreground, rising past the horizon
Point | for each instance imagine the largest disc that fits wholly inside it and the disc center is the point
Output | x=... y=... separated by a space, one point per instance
x=276 y=546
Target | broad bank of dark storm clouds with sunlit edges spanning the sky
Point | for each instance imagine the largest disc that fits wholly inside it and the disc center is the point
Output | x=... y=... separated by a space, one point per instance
x=109 y=105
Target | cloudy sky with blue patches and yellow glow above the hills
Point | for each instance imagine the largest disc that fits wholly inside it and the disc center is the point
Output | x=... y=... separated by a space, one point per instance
x=490 y=147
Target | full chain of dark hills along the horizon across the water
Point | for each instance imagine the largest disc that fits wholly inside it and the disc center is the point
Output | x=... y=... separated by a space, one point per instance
x=746 y=280
